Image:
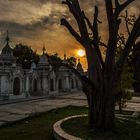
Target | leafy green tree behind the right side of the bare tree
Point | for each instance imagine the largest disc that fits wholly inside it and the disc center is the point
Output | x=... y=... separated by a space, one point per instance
x=127 y=76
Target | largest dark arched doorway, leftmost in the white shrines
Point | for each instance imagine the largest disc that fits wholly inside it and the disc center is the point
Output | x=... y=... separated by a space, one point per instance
x=16 y=86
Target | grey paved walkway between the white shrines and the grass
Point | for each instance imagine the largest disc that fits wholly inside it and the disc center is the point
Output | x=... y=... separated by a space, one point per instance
x=20 y=110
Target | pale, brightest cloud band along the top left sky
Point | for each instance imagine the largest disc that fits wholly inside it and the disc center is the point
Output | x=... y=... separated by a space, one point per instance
x=28 y=11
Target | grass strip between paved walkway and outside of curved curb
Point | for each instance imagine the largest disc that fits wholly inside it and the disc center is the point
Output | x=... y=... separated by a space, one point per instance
x=38 y=127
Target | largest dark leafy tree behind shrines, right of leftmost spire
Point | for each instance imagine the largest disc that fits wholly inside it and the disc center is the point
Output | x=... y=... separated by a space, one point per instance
x=25 y=55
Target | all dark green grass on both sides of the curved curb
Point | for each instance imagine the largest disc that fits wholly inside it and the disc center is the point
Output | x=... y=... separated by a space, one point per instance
x=39 y=127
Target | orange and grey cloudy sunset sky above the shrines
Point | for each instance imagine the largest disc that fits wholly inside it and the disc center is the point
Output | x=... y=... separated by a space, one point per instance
x=33 y=22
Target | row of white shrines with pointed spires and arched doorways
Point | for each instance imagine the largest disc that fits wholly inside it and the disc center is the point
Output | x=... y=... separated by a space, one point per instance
x=40 y=79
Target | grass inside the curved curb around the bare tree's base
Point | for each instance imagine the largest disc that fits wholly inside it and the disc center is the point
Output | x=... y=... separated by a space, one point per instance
x=125 y=130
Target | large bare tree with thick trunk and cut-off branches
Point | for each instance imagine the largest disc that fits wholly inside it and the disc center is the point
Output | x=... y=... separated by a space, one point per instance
x=103 y=76
